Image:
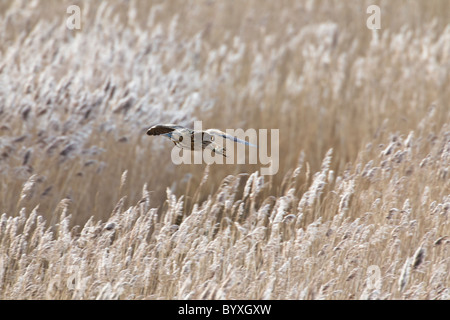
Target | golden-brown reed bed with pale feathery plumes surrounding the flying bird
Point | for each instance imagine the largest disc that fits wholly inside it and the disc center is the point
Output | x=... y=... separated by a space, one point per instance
x=93 y=208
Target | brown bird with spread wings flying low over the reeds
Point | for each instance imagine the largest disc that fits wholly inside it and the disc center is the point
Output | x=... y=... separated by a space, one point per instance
x=186 y=138
